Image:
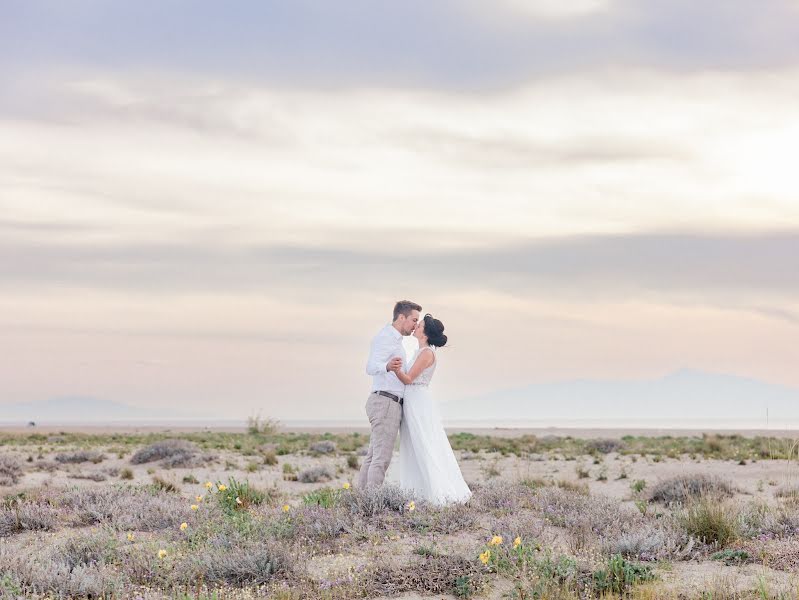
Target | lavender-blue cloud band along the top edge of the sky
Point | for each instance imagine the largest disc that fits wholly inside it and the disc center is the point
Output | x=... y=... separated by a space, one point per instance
x=441 y=45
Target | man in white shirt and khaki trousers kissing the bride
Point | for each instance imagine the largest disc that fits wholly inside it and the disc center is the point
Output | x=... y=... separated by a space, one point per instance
x=384 y=406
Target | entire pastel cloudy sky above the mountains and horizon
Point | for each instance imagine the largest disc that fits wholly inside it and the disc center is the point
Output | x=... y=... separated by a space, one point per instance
x=214 y=206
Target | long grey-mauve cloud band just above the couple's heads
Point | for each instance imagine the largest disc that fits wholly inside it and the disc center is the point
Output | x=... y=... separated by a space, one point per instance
x=601 y=266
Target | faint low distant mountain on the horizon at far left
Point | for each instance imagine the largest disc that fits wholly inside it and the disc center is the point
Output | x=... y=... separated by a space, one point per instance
x=83 y=409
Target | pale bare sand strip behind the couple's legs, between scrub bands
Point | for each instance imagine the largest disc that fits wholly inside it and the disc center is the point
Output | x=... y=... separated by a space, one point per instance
x=755 y=479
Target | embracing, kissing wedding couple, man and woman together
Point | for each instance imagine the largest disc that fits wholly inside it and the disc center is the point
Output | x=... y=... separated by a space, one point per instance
x=401 y=402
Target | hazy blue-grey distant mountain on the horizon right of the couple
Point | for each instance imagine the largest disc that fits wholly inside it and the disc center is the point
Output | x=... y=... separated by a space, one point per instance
x=685 y=395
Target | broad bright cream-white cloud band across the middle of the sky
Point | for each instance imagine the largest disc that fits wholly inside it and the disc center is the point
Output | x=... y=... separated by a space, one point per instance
x=617 y=152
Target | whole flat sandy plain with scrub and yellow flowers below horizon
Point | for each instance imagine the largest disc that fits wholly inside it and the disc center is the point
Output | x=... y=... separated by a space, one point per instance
x=265 y=512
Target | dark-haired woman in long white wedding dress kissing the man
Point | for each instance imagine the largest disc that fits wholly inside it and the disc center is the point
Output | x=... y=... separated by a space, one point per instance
x=427 y=463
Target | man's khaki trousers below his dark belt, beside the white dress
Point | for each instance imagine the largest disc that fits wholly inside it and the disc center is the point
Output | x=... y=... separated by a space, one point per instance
x=384 y=417
